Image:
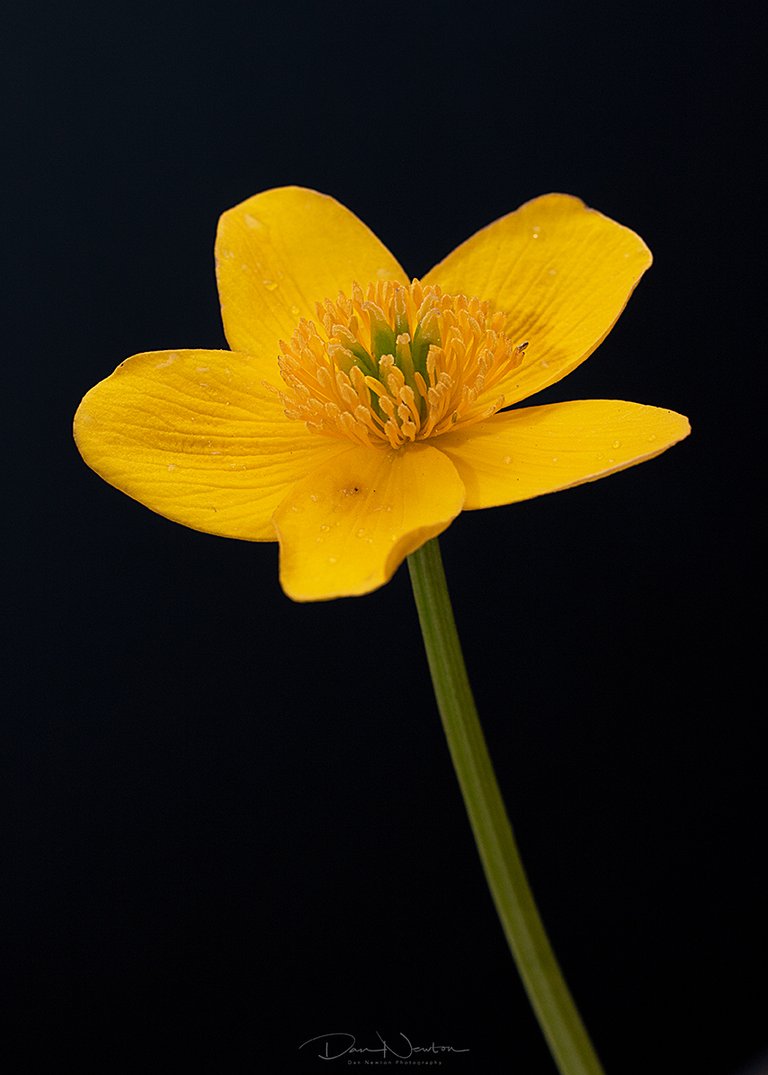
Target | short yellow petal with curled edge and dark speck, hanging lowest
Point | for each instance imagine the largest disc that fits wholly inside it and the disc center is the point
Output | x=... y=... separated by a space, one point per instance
x=349 y=526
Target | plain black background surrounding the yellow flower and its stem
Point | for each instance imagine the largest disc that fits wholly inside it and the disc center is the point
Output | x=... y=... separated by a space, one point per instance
x=234 y=823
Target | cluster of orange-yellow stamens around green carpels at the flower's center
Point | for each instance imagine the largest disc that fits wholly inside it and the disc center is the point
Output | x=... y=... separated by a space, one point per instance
x=397 y=364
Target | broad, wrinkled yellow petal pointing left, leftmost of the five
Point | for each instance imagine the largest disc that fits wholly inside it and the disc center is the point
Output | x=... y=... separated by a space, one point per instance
x=197 y=437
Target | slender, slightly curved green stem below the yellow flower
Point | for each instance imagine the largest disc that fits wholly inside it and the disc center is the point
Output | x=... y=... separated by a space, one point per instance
x=543 y=978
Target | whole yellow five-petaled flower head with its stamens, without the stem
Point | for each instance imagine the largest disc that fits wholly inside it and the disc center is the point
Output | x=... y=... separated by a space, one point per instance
x=359 y=413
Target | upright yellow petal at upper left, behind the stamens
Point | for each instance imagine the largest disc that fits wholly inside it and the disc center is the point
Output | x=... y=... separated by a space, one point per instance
x=283 y=251
